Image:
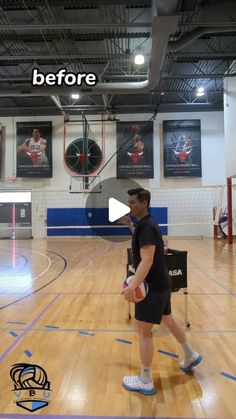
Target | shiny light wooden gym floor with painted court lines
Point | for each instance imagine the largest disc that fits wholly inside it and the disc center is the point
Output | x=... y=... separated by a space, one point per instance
x=61 y=309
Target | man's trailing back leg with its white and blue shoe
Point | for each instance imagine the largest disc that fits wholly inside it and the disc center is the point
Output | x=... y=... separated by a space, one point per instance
x=192 y=358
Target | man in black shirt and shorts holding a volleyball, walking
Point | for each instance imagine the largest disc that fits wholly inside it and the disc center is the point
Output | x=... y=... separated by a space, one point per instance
x=149 y=263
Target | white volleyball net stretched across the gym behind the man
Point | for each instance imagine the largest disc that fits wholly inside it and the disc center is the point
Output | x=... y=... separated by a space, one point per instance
x=184 y=212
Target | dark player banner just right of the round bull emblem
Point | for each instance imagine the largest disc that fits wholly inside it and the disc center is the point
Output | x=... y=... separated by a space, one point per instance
x=135 y=150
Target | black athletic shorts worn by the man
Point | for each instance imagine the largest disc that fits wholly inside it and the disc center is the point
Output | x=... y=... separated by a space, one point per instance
x=153 y=307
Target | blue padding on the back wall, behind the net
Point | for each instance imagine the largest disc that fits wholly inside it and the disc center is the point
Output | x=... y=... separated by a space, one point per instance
x=58 y=217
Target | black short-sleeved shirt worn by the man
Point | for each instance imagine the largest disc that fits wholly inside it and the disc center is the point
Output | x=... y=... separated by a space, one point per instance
x=147 y=232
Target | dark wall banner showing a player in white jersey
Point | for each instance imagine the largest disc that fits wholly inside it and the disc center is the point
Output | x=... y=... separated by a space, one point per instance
x=34 y=149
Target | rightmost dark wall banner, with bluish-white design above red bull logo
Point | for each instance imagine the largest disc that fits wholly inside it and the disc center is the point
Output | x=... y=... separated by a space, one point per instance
x=182 y=148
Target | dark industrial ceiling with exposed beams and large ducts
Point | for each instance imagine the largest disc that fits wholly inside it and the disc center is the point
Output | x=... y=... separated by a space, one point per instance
x=187 y=44
